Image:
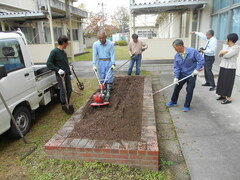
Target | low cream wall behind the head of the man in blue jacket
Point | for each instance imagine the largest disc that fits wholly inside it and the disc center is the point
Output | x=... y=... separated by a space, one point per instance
x=160 y=48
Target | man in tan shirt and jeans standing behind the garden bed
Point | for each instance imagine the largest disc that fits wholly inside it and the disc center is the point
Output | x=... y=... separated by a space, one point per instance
x=136 y=47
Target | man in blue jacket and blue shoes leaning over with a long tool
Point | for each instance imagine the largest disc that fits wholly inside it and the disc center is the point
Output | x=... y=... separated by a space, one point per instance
x=187 y=61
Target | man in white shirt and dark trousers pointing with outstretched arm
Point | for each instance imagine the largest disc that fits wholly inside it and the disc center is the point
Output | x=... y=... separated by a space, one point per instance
x=209 y=52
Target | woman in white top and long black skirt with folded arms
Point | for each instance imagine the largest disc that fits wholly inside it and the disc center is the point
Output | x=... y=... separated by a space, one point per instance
x=228 y=67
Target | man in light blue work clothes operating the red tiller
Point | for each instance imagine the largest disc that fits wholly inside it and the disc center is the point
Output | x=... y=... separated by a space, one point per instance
x=104 y=58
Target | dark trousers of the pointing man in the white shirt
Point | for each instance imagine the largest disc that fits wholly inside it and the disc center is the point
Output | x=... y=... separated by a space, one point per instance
x=209 y=60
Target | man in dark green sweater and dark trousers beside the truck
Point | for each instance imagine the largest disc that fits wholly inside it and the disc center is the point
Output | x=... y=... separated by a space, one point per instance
x=58 y=62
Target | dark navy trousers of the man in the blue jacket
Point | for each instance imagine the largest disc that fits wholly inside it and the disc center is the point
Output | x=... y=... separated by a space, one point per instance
x=190 y=87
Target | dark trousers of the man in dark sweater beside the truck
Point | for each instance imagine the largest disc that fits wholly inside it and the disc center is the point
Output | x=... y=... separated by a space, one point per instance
x=68 y=85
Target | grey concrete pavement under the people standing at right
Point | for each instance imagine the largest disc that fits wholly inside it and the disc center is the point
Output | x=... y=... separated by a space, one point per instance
x=209 y=134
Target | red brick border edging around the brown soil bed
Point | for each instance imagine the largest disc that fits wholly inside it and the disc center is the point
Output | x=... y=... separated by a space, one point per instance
x=142 y=153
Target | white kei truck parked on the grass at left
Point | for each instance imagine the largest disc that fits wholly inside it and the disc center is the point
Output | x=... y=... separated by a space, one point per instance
x=23 y=85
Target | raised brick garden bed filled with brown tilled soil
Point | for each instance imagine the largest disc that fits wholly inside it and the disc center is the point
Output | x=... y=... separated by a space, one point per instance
x=122 y=133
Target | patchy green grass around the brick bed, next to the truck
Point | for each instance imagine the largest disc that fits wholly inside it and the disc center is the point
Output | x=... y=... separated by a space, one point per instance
x=49 y=119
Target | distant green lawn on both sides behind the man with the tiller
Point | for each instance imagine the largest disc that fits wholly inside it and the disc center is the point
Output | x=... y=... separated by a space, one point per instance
x=121 y=53
